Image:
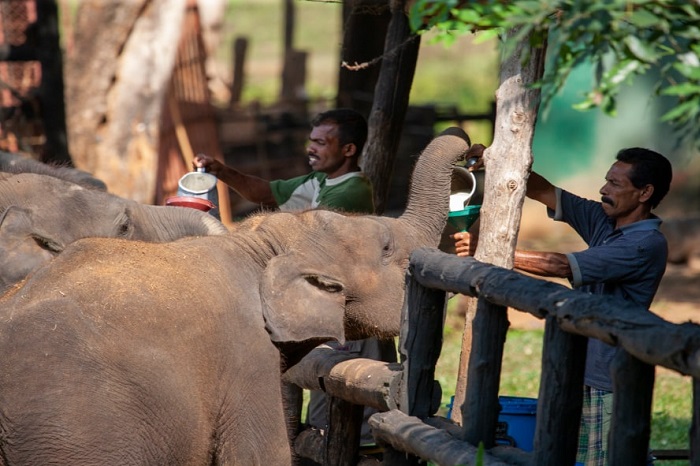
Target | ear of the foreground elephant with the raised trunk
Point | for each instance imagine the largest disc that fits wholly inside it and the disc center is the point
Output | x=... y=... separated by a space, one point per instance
x=300 y=304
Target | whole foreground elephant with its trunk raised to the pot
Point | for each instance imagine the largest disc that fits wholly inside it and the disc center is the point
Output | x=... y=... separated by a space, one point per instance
x=132 y=353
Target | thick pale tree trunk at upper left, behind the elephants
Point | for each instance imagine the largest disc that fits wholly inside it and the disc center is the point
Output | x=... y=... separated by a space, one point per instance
x=115 y=81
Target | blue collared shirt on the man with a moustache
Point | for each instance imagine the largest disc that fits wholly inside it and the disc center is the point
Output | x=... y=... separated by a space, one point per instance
x=627 y=262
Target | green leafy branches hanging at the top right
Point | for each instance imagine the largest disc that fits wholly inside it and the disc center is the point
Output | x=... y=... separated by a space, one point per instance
x=622 y=39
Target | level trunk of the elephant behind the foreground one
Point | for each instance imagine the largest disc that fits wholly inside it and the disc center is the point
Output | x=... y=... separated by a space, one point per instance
x=167 y=223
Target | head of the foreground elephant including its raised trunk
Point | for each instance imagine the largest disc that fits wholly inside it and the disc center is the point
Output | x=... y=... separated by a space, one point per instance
x=342 y=277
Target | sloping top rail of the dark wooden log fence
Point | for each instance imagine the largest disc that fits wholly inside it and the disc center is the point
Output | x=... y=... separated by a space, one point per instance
x=643 y=334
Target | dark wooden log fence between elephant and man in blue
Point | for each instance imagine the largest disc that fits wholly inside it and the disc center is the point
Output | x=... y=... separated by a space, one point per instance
x=407 y=395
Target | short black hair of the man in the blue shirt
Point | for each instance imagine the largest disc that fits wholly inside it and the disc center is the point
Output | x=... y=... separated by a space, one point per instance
x=648 y=167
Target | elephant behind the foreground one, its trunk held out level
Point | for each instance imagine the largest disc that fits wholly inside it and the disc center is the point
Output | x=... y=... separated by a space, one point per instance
x=41 y=214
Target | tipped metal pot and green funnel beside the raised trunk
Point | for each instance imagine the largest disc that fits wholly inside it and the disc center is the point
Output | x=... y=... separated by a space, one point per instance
x=464 y=191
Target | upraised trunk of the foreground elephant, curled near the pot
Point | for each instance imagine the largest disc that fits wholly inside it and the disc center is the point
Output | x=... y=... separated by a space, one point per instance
x=428 y=199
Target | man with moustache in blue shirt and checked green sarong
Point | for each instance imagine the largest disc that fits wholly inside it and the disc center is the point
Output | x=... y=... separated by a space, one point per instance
x=626 y=257
